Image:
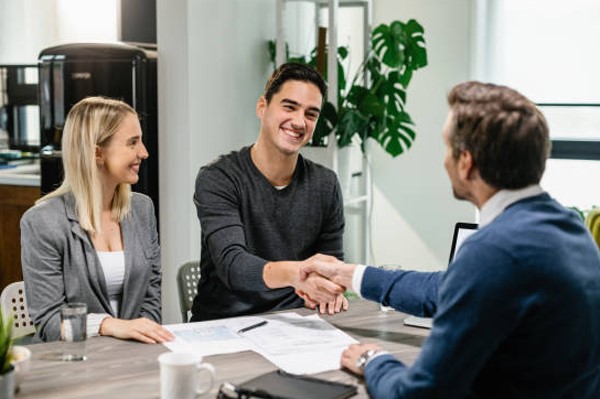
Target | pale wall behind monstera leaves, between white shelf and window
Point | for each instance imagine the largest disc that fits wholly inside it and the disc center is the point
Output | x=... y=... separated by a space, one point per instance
x=414 y=211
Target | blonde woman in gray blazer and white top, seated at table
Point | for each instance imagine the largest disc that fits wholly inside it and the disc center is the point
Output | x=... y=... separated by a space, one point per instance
x=92 y=240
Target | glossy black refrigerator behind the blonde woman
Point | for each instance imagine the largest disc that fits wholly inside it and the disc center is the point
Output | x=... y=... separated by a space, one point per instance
x=71 y=72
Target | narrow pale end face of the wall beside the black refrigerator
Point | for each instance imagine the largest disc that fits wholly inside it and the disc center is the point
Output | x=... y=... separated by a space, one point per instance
x=174 y=143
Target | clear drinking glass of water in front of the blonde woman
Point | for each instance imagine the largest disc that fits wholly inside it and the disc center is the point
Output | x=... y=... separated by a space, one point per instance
x=73 y=331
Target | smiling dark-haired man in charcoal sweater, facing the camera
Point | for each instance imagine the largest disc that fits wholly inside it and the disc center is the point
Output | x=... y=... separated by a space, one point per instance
x=265 y=211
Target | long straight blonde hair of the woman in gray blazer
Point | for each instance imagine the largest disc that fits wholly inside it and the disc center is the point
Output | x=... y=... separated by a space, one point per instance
x=91 y=122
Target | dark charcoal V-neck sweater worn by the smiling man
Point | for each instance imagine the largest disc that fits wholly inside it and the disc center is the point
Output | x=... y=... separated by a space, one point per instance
x=246 y=222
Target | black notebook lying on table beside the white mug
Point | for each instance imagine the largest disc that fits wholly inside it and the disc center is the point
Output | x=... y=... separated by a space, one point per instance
x=281 y=385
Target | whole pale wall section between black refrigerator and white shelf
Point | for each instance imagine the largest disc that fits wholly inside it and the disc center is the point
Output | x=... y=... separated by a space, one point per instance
x=212 y=67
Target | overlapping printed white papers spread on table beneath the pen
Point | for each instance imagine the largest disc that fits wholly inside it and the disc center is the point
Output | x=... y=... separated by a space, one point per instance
x=294 y=343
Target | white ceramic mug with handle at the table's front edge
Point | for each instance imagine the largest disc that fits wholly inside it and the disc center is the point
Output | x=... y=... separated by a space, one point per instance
x=180 y=375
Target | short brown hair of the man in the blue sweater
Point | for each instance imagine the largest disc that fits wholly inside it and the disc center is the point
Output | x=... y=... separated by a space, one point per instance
x=504 y=132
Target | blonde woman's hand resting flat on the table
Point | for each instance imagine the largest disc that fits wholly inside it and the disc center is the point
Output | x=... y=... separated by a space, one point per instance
x=142 y=329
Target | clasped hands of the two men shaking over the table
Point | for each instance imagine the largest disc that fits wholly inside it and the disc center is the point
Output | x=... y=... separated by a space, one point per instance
x=322 y=281
